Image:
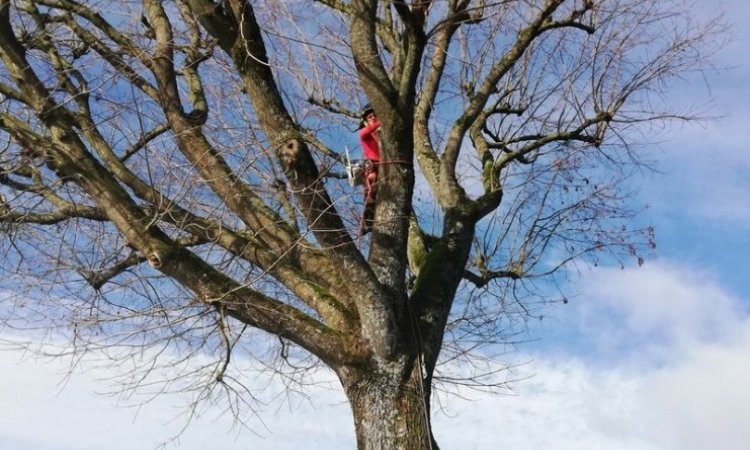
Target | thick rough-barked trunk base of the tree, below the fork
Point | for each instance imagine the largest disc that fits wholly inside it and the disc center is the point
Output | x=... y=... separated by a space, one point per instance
x=391 y=408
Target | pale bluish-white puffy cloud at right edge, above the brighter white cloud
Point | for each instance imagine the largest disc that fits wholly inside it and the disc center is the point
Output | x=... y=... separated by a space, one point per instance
x=658 y=306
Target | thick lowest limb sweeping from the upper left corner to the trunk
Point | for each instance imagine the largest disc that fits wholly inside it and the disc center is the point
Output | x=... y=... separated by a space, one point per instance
x=71 y=159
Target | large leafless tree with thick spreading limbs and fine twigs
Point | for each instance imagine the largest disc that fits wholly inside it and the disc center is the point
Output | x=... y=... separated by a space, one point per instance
x=170 y=178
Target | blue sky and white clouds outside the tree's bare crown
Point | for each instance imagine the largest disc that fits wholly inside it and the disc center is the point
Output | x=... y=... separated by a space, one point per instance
x=646 y=358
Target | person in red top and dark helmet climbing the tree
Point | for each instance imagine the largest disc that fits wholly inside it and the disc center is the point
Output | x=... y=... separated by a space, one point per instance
x=370 y=140
